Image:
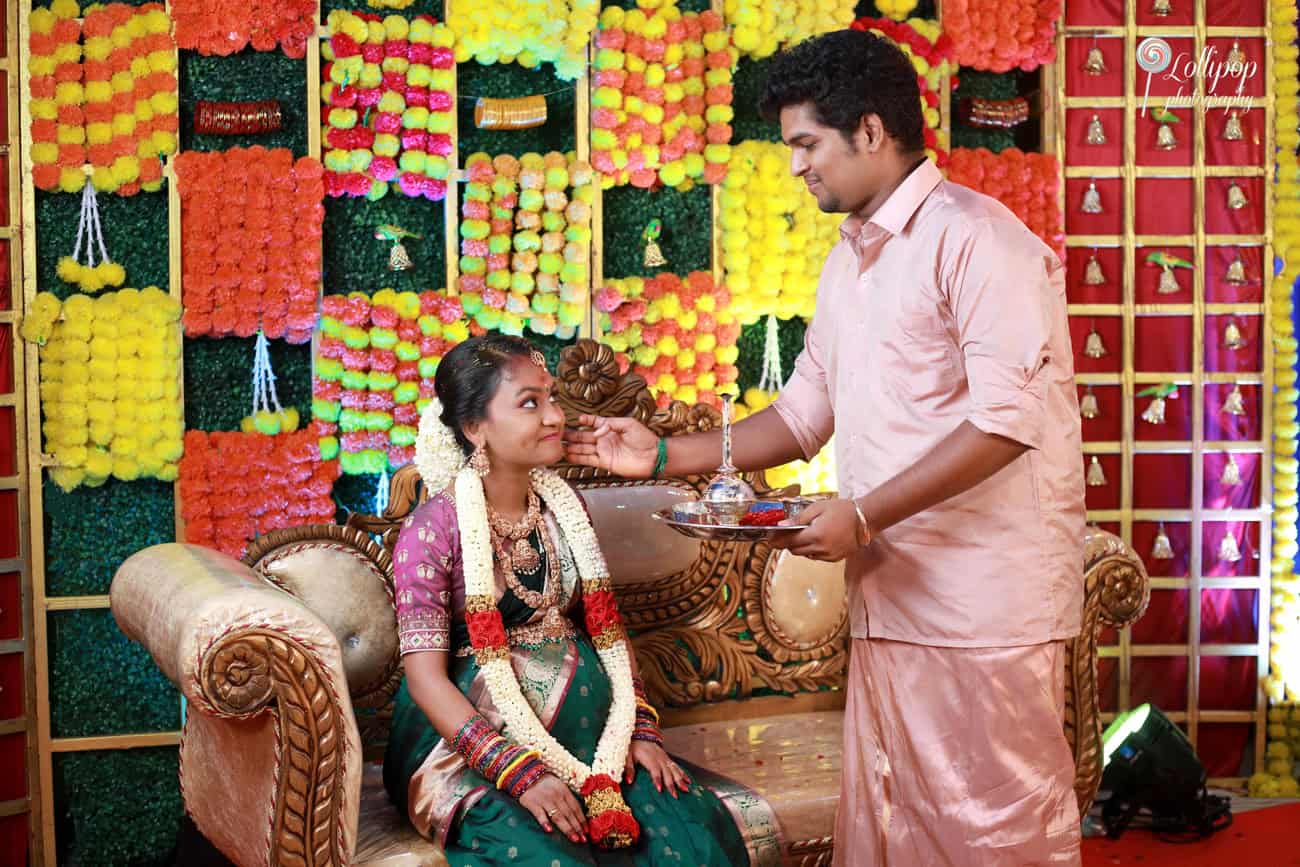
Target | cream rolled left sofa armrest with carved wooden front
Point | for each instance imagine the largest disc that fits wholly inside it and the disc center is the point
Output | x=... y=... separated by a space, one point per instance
x=271 y=760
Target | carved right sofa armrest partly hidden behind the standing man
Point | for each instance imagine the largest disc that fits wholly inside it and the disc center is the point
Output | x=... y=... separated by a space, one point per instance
x=1116 y=595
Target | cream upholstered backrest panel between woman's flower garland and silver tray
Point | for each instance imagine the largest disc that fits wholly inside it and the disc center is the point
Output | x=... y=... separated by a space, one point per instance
x=638 y=548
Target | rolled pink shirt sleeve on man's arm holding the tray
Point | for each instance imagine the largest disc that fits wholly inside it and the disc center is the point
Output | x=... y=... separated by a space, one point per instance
x=1003 y=291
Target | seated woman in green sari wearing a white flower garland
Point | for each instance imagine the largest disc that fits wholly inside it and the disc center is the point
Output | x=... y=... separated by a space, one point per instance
x=515 y=729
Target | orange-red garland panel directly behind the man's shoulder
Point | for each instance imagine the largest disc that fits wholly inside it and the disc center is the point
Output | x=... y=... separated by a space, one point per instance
x=1028 y=184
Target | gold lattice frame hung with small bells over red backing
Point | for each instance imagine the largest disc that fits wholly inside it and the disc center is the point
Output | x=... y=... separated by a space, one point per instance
x=1056 y=102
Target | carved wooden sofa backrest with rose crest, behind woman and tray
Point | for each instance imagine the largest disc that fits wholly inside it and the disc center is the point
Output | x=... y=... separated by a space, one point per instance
x=735 y=618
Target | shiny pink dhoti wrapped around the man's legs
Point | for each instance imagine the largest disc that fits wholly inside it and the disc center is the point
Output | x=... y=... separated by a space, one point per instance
x=956 y=757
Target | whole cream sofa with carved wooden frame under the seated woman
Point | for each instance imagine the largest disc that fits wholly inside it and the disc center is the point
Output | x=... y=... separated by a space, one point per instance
x=291 y=660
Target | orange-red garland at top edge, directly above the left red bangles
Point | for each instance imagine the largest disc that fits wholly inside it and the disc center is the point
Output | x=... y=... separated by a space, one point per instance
x=228 y=27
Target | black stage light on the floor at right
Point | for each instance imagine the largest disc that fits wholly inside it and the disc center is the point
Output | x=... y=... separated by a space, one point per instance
x=1150 y=768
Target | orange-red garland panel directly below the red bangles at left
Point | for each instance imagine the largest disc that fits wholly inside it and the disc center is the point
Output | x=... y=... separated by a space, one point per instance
x=250 y=242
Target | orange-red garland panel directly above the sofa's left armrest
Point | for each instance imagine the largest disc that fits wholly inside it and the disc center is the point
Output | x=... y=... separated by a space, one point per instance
x=236 y=487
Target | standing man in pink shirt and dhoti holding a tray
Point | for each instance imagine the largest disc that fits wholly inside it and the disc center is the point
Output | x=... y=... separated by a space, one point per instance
x=941 y=358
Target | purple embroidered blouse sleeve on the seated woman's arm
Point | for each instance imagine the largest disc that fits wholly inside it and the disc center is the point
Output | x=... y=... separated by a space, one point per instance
x=424 y=565
